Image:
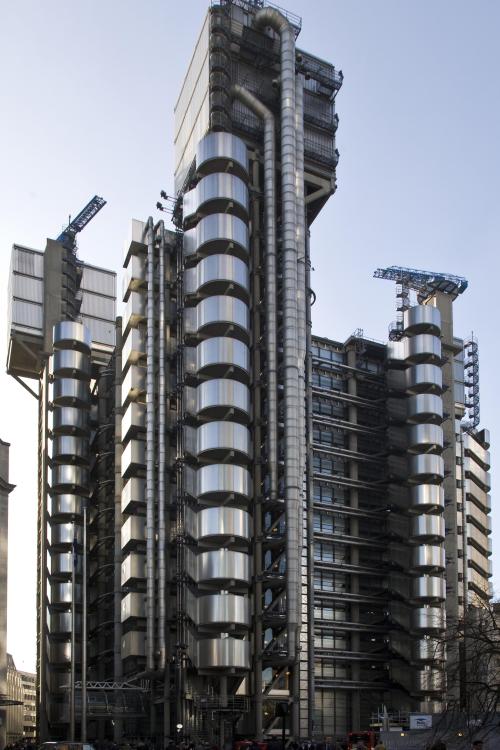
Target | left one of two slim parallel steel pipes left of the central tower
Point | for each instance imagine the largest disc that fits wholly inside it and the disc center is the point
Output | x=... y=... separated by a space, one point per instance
x=150 y=456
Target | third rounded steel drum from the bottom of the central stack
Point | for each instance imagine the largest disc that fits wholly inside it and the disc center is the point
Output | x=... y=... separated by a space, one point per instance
x=219 y=565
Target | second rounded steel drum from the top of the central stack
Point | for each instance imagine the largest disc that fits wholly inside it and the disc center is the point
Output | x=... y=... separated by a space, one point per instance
x=216 y=192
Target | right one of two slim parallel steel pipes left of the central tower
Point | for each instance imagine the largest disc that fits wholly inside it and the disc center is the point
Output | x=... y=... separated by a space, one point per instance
x=162 y=532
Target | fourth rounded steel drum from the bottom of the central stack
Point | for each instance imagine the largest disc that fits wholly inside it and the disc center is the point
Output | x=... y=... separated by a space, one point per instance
x=219 y=522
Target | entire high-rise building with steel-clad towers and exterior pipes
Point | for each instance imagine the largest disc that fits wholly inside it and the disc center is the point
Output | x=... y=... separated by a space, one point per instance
x=271 y=519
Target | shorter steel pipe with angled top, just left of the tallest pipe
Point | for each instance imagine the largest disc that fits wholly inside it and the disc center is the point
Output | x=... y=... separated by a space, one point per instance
x=256 y=106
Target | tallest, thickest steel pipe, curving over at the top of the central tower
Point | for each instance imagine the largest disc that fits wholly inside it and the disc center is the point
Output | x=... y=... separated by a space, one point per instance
x=271 y=17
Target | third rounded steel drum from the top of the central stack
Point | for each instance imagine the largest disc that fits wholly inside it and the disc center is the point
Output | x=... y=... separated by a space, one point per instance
x=217 y=233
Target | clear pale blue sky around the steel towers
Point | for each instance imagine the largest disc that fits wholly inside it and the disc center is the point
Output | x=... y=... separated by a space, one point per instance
x=87 y=92
